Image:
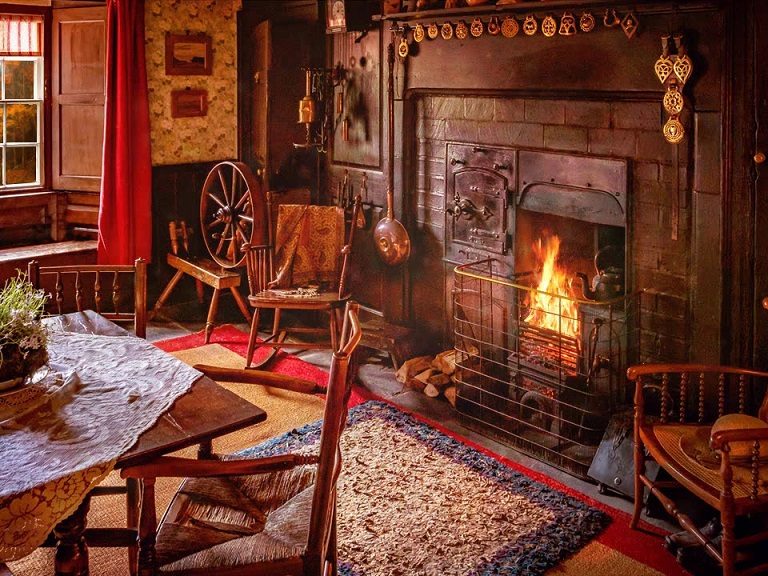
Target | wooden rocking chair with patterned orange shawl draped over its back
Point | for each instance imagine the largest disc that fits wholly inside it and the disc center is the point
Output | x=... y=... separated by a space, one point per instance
x=305 y=268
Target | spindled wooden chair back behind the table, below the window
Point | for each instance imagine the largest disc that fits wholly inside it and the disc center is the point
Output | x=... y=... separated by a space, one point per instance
x=117 y=292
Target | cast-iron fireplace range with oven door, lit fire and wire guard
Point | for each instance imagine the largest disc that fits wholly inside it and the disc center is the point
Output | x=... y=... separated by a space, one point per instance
x=542 y=322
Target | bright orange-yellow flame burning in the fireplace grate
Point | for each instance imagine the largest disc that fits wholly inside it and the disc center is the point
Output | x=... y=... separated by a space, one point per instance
x=552 y=305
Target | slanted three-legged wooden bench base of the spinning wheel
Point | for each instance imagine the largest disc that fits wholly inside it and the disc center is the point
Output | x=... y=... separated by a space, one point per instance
x=204 y=271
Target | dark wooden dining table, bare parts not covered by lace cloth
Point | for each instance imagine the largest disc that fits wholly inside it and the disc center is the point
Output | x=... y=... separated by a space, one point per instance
x=204 y=413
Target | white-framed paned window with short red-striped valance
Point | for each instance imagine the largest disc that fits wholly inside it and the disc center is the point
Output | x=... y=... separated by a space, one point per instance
x=21 y=101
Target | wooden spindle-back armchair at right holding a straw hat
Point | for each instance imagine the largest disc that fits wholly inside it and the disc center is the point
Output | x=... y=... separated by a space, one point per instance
x=695 y=422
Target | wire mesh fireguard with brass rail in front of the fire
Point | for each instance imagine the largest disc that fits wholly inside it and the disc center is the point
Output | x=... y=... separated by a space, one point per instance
x=538 y=371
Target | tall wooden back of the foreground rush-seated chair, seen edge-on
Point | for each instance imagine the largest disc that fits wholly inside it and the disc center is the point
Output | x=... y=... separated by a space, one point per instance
x=322 y=517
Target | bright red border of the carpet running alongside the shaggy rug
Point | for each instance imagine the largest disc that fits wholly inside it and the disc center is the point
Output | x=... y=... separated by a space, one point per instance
x=633 y=543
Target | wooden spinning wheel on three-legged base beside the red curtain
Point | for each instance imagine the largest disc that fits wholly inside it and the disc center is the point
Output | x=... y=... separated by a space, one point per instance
x=232 y=213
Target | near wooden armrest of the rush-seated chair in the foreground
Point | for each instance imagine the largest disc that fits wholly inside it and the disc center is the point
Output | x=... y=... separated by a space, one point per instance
x=172 y=467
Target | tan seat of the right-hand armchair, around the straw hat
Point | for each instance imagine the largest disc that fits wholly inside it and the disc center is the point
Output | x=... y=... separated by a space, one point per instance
x=663 y=443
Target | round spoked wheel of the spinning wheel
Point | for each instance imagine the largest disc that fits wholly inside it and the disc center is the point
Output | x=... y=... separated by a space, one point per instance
x=231 y=212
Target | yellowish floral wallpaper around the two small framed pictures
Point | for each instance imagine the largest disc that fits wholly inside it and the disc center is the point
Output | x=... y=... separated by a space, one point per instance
x=197 y=139
